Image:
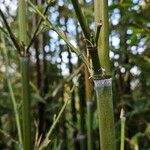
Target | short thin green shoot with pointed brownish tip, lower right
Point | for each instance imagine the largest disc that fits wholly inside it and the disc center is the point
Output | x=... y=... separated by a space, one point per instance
x=123 y=119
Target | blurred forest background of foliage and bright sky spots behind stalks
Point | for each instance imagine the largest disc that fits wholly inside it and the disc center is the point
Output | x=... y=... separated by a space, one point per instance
x=52 y=64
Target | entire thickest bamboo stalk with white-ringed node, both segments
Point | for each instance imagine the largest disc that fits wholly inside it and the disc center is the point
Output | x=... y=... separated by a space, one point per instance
x=103 y=84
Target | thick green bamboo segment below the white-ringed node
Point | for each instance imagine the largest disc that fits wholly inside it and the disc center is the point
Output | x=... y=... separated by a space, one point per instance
x=105 y=113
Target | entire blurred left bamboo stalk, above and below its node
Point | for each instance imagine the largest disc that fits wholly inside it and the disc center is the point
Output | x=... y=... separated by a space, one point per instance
x=24 y=61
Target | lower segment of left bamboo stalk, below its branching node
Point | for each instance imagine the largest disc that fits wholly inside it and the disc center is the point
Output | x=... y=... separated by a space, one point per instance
x=26 y=103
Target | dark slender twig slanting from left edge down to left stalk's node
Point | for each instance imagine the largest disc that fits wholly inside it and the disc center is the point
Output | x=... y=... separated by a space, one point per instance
x=12 y=36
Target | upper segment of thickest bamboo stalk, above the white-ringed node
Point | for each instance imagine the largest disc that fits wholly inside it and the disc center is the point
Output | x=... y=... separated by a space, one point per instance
x=101 y=14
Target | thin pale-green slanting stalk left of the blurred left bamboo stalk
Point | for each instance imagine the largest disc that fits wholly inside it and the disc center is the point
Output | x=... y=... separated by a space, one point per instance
x=12 y=94
